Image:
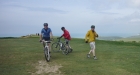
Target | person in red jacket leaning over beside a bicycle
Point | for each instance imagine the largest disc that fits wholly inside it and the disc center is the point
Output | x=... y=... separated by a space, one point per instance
x=67 y=36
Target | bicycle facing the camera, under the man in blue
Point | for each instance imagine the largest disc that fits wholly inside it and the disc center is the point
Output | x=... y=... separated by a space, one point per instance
x=47 y=50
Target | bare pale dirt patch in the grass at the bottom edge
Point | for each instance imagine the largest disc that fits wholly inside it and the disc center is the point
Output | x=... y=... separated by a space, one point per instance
x=44 y=68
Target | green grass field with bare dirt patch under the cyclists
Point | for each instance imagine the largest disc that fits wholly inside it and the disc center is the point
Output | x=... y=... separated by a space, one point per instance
x=24 y=56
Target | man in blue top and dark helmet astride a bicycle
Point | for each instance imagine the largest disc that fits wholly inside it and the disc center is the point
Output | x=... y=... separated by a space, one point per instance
x=46 y=34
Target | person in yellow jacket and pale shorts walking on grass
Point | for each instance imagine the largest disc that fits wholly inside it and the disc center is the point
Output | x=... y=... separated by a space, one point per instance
x=90 y=38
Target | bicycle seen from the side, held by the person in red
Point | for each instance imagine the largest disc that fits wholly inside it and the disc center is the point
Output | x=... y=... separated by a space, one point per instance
x=58 y=46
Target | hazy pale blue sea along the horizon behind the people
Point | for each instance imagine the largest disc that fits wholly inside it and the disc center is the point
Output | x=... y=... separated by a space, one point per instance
x=75 y=35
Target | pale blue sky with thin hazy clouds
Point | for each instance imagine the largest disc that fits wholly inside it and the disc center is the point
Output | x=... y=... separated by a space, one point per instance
x=109 y=16
